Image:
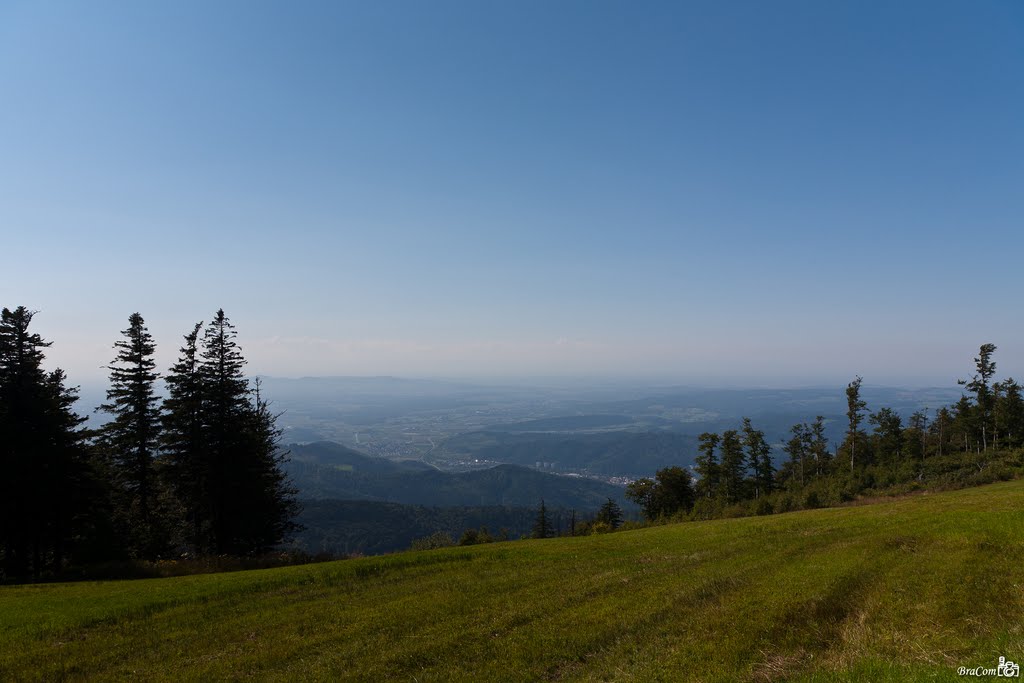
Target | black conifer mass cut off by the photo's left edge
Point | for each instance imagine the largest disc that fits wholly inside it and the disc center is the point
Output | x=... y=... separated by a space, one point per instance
x=50 y=491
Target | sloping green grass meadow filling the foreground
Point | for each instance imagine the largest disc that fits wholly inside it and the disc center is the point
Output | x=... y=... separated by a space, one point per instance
x=906 y=590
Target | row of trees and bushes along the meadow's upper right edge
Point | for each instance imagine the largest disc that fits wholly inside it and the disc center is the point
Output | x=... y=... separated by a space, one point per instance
x=976 y=441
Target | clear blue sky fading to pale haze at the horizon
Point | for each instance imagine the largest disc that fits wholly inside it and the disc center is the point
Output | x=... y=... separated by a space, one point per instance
x=787 y=193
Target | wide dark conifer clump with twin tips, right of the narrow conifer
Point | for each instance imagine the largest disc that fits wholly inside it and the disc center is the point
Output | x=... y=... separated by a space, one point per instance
x=224 y=447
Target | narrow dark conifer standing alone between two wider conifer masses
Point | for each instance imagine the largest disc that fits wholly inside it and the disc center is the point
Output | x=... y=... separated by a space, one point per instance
x=131 y=442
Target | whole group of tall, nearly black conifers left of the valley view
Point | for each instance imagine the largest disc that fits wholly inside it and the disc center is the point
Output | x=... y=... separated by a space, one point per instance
x=197 y=473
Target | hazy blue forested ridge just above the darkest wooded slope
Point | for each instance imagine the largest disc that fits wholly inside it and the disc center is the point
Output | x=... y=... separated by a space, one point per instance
x=327 y=471
